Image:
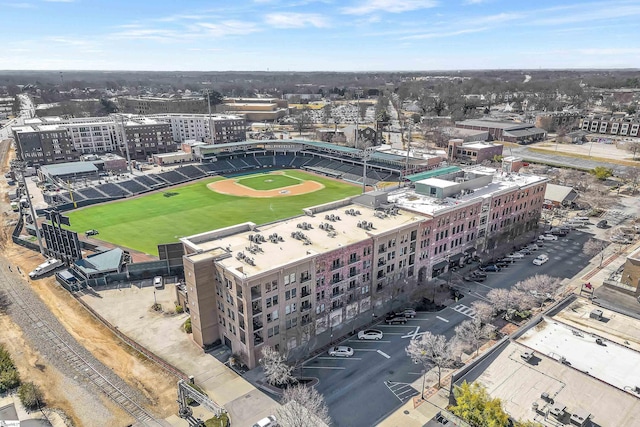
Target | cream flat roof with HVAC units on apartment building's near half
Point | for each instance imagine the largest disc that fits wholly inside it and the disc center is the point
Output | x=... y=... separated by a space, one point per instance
x=320 y=240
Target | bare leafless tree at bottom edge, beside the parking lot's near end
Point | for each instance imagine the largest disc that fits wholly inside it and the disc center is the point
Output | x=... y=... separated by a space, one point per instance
x=302 y=407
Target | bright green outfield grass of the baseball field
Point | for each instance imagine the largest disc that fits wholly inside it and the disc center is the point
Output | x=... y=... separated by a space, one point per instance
x=144 y=222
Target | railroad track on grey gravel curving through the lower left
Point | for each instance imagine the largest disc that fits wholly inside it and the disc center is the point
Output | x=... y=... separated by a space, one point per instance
x=76 y=361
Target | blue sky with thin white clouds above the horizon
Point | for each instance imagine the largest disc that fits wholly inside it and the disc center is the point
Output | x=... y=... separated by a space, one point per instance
x=308 y=35
